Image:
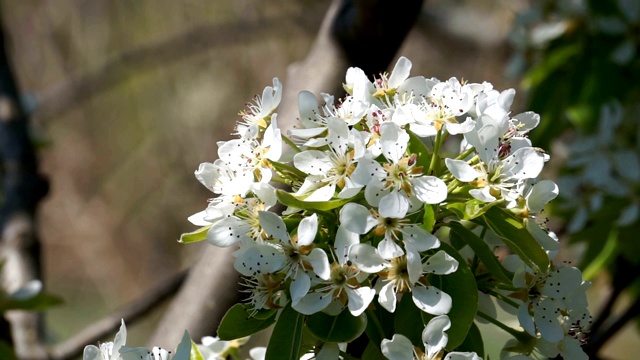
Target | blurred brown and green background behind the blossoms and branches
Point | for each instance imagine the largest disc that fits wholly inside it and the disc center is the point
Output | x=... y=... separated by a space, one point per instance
x=127 y=98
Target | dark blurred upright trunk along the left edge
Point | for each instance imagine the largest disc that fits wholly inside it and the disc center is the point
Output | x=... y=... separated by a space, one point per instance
x=22 y=189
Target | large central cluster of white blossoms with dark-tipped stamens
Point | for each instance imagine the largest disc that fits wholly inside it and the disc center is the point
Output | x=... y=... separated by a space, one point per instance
x=369 y=188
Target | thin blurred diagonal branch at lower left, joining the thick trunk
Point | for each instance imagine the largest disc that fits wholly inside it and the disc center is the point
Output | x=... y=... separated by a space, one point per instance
x=135 y=310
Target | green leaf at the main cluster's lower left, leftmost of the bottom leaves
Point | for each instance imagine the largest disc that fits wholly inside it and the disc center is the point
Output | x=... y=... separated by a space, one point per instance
x=238 y=323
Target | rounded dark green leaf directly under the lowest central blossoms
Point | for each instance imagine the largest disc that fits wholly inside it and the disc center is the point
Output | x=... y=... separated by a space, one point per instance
x=342 y=328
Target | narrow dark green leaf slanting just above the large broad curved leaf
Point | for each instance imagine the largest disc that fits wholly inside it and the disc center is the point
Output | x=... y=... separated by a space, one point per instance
x=482 y=251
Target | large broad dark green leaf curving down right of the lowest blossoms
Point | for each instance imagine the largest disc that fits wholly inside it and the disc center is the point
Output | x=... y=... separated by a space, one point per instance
x=461 y=286
